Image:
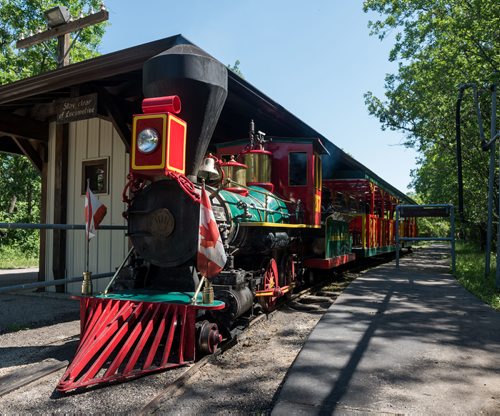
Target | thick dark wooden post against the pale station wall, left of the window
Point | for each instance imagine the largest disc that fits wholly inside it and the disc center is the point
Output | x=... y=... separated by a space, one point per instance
x=60 y=201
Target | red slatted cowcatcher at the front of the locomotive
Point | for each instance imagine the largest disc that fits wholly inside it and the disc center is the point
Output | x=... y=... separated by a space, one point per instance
x=125 y=339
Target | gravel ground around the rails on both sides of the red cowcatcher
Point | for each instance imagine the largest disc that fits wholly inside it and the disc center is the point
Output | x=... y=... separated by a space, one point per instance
x=243 y=380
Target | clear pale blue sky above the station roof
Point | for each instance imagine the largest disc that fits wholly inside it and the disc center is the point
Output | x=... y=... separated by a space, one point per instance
x=315 y=58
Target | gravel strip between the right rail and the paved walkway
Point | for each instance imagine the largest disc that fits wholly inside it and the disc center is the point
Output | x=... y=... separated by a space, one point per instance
x=245 y=378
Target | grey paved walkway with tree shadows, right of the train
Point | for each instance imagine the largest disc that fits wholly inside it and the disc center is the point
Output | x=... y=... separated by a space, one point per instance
x=413 y=342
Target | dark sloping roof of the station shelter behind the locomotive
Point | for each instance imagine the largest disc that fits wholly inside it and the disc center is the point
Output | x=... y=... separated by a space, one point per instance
x=118 y=76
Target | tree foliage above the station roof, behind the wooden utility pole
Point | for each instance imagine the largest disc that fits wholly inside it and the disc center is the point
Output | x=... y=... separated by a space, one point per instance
x=20 y=18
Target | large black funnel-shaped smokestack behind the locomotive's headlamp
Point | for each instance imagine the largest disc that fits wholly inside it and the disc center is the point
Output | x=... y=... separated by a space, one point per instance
x=201 y=83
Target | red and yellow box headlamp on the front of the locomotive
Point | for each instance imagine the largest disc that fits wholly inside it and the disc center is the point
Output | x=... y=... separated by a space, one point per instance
x=158 y=138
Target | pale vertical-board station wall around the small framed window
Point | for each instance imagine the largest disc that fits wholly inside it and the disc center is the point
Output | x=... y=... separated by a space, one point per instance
x=89 y=139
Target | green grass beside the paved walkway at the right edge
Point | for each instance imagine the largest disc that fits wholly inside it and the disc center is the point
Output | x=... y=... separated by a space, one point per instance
x=470 y=274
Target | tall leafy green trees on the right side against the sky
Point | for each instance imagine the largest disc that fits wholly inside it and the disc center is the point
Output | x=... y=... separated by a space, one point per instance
x=438 y=45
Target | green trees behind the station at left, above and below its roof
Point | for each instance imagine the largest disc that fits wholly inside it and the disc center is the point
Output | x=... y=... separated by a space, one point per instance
x=20 y=184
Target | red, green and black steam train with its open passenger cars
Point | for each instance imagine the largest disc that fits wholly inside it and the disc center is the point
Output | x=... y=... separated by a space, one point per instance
x=280 y=216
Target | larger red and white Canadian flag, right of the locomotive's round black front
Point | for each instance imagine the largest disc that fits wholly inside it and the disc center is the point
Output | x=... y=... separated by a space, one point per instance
x=211 y=254
